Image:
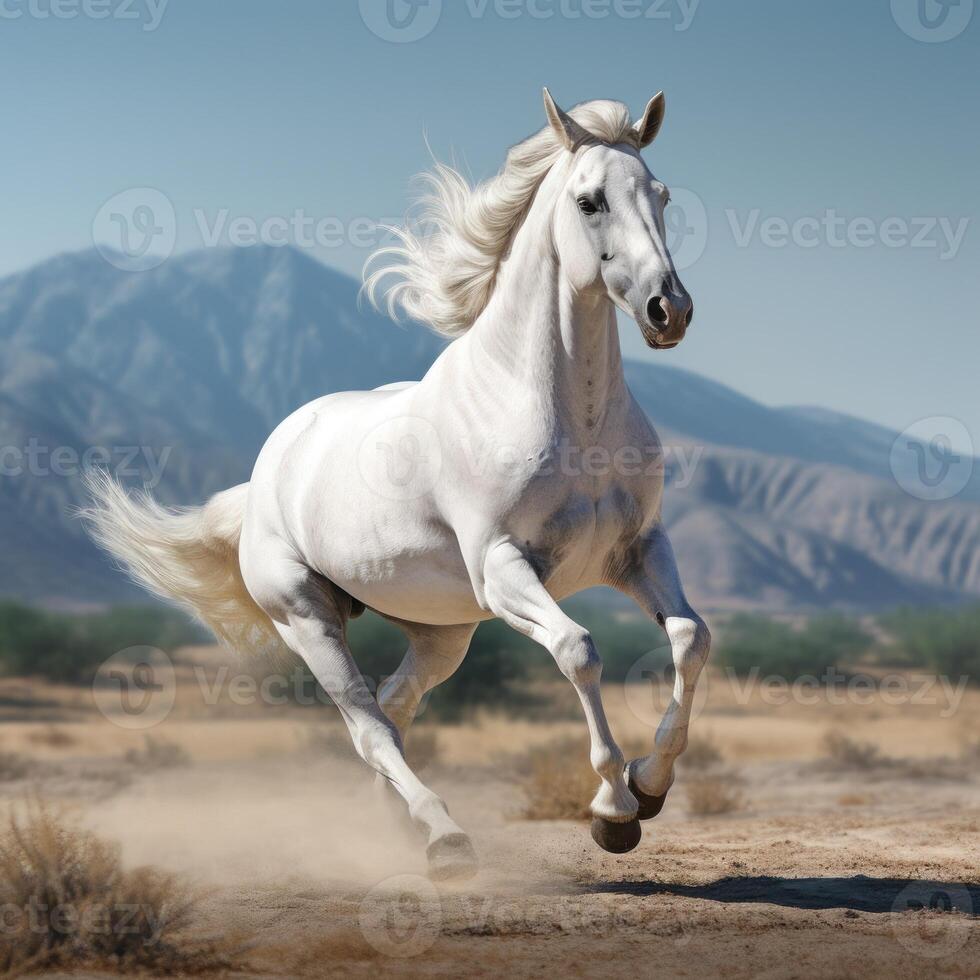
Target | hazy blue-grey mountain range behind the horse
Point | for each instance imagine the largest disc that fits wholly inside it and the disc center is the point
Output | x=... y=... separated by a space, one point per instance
x=187 y=367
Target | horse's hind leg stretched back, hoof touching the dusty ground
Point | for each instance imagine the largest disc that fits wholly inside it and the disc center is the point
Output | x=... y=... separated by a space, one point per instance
x=311 y=615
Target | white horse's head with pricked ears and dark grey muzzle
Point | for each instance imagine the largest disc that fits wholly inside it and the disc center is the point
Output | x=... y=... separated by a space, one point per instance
x=609 y=226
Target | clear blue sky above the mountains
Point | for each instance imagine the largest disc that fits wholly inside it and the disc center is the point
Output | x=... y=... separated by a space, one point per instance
x=834 y=149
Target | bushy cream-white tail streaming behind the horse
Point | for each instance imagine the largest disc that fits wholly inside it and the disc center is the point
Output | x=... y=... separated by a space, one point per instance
x=188 y=555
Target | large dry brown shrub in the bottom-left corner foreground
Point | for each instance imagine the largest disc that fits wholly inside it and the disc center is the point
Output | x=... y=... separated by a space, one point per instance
x=70 y=903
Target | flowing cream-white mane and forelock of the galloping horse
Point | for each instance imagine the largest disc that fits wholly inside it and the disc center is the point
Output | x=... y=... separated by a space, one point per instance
x=446 y=264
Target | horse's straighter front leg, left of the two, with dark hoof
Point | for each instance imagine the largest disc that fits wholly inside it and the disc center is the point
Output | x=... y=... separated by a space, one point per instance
x=514 y=592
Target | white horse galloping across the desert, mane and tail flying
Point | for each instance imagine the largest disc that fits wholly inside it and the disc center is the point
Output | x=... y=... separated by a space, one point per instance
x=517 y=472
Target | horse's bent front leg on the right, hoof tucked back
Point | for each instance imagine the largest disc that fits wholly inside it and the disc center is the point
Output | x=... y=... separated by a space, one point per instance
x=652 y=580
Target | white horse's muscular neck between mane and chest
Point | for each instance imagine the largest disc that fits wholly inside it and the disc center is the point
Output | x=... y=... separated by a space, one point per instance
x=542 y=333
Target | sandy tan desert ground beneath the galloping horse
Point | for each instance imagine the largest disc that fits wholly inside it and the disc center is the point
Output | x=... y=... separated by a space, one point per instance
x=832 y=838
